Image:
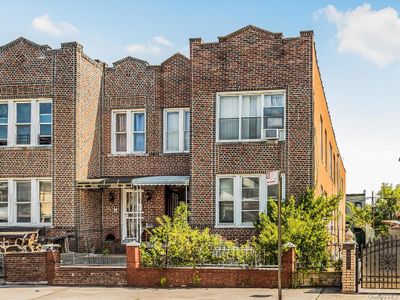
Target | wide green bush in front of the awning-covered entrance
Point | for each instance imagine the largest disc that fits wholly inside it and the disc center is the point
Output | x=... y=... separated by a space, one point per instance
x=175 y=243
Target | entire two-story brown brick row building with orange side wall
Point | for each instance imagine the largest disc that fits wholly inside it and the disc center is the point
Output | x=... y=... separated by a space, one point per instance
x=100 y=152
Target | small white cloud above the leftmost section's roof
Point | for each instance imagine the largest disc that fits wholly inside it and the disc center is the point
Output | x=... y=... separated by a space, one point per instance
x=47 y=25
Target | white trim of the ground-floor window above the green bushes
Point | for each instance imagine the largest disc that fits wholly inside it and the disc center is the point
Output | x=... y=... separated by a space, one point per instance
x=237 y=211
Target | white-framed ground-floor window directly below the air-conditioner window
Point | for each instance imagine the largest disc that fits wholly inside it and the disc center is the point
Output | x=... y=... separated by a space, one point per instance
x=239 y=199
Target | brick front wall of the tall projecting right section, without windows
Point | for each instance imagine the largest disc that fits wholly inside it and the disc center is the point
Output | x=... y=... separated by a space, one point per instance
x=246 y=60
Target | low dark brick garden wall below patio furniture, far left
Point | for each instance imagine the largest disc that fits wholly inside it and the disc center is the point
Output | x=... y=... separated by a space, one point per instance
x=25 y=267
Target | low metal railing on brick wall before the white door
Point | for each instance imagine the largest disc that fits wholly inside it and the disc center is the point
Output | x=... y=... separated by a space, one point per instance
x=90 y=259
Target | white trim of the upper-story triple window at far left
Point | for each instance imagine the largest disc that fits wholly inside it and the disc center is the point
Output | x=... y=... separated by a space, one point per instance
x=35 y=125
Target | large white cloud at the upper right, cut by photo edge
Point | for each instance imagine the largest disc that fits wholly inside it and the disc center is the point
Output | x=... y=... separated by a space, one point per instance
x=372 y=34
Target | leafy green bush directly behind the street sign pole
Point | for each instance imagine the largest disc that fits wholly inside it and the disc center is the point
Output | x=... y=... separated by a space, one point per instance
x=304 y=223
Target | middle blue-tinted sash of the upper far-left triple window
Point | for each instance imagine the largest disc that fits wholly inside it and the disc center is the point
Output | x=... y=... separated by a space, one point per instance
x=23 y=123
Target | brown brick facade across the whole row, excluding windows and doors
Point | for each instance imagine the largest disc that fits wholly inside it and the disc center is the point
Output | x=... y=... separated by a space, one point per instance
x=85 y=92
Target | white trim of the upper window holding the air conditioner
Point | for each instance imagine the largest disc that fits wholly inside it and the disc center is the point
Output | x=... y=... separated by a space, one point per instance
x=240 y=95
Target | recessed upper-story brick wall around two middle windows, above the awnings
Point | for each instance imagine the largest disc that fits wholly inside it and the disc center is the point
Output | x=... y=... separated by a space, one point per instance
x=133 y=84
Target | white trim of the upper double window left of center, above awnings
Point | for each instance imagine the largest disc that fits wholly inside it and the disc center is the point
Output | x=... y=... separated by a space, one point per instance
x=129 y=131
